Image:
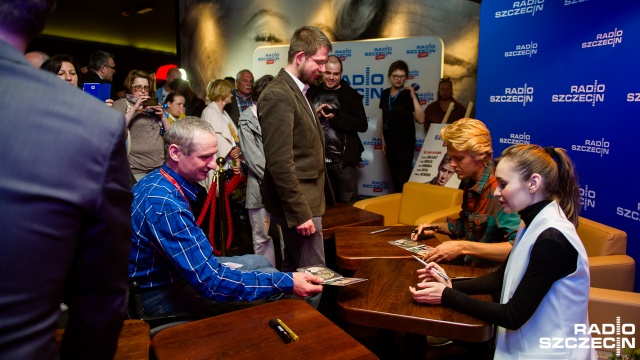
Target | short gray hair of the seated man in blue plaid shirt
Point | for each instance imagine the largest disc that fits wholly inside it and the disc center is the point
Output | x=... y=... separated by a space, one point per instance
x=183 y=132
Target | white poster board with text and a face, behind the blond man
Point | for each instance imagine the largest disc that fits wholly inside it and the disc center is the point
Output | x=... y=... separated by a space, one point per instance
x=433 y=163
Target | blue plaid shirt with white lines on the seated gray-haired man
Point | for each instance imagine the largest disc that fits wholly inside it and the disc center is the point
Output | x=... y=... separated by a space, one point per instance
x=167 y=244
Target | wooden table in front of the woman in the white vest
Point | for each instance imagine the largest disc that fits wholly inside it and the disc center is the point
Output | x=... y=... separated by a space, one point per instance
x=385 y=302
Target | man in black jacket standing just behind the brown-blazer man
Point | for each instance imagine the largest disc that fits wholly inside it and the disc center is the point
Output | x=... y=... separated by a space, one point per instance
x=339 y=108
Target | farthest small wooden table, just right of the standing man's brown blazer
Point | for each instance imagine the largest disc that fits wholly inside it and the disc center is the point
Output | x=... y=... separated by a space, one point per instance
x=342 y=215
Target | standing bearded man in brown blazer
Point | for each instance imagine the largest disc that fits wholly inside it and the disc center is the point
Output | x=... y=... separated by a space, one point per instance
x=293 y=186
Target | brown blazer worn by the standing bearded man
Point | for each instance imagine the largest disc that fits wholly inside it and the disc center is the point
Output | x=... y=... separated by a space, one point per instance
x=294 y=182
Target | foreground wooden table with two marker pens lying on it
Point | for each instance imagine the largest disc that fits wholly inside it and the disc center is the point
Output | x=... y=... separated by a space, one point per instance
x=245 y=334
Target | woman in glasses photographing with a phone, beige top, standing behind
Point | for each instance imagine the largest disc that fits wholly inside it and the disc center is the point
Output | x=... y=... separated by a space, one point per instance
x=145 y=122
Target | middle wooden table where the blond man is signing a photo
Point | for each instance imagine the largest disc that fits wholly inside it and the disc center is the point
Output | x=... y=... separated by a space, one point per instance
x=355 y=245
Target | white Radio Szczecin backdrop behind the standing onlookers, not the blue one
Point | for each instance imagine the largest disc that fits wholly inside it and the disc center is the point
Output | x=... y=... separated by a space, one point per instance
x=365 y=67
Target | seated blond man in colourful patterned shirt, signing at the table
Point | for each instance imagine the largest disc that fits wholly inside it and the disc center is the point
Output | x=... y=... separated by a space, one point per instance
x=485 y=231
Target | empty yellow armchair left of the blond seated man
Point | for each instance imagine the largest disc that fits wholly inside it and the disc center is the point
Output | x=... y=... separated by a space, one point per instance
x=418 y=203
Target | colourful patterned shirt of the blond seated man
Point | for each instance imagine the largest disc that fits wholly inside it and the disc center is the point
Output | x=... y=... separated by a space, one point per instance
x=482 y=218
